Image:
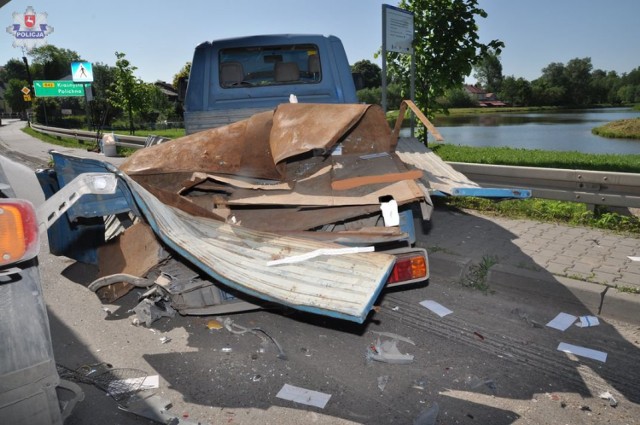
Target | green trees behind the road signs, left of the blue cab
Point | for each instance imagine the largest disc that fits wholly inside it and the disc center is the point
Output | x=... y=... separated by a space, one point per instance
x=119 y=98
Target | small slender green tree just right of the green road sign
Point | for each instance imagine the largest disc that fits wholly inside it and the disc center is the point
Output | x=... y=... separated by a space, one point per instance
x=126 y=89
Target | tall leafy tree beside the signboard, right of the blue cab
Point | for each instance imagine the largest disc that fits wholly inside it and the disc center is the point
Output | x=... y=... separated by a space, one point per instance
x=446 y=48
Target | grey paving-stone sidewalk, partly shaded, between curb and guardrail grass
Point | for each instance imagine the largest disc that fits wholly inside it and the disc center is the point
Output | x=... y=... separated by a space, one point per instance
x=580 y=253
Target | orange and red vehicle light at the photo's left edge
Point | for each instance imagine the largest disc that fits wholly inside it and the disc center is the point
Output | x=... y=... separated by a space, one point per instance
x=19 y=239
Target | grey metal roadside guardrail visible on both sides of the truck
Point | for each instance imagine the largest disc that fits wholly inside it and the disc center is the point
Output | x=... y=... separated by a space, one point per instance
x=588 y=187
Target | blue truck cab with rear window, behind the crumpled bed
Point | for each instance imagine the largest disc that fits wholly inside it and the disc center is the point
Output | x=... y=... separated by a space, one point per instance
x=235 y=78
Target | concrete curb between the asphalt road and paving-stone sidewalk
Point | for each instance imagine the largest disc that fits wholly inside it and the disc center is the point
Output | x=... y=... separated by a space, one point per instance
x=542 y=287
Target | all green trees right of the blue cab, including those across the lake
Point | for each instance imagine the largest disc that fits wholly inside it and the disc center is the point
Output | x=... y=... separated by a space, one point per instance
x=447 y=50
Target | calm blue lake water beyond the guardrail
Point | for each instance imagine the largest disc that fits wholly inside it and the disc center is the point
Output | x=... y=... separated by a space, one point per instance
x=559 y=131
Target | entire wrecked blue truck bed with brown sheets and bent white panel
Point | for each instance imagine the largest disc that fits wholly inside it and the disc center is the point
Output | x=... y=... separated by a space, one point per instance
x=307 y=206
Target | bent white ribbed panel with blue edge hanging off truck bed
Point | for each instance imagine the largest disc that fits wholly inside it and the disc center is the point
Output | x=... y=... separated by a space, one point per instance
x=343 y=286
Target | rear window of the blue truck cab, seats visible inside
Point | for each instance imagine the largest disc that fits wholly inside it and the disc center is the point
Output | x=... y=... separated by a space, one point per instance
x=269 y=65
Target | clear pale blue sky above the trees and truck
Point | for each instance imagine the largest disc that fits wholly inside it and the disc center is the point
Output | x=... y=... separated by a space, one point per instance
x=159 y=37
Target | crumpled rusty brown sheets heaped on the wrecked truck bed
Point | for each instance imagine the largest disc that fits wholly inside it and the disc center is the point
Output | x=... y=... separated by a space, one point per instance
x=297 y=168
